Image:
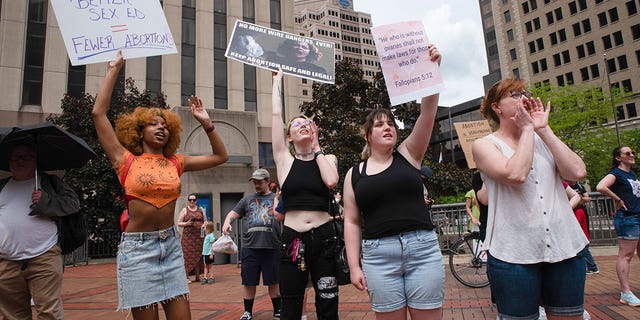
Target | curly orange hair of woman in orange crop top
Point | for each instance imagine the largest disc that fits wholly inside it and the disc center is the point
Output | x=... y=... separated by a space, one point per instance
x=129 y=129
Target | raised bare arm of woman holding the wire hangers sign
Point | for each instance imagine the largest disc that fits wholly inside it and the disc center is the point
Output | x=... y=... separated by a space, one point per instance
x=281 y=155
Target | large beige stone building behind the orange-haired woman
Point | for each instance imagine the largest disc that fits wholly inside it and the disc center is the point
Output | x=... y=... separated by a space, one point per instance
x=35 y=73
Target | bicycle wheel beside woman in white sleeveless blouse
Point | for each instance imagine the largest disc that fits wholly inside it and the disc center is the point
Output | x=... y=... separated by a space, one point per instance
x=467 y=263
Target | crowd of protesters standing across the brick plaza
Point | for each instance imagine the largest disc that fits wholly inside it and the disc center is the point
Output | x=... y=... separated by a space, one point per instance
x=533 y=223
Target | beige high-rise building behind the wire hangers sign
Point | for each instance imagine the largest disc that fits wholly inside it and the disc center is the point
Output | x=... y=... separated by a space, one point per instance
x=338 y=22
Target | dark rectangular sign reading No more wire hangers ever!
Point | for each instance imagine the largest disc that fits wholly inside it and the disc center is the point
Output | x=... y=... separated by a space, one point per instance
x=269 y=48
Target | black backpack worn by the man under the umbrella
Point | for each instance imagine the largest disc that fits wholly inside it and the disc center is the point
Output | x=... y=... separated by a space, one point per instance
x=72 y=228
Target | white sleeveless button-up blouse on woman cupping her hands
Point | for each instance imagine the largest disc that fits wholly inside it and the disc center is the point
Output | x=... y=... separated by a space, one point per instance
x=531 y=222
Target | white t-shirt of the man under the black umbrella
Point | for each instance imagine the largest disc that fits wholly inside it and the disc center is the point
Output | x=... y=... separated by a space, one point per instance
x=23 y=236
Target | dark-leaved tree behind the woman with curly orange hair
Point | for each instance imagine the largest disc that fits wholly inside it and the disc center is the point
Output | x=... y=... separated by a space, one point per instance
x=96 y=183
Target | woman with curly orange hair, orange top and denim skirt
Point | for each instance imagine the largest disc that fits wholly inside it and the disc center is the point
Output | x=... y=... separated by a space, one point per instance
x=150 y=261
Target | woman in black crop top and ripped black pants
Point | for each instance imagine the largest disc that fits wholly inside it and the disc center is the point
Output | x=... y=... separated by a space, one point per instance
x=306 y=175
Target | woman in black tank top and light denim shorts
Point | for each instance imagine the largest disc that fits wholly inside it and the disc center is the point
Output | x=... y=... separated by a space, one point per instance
x=401 y=261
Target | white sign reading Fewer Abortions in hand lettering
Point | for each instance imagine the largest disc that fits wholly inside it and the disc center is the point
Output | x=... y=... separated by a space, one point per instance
x=94 y=30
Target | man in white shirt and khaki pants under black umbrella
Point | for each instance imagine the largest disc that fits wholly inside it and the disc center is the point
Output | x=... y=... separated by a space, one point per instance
x=30 y=258
